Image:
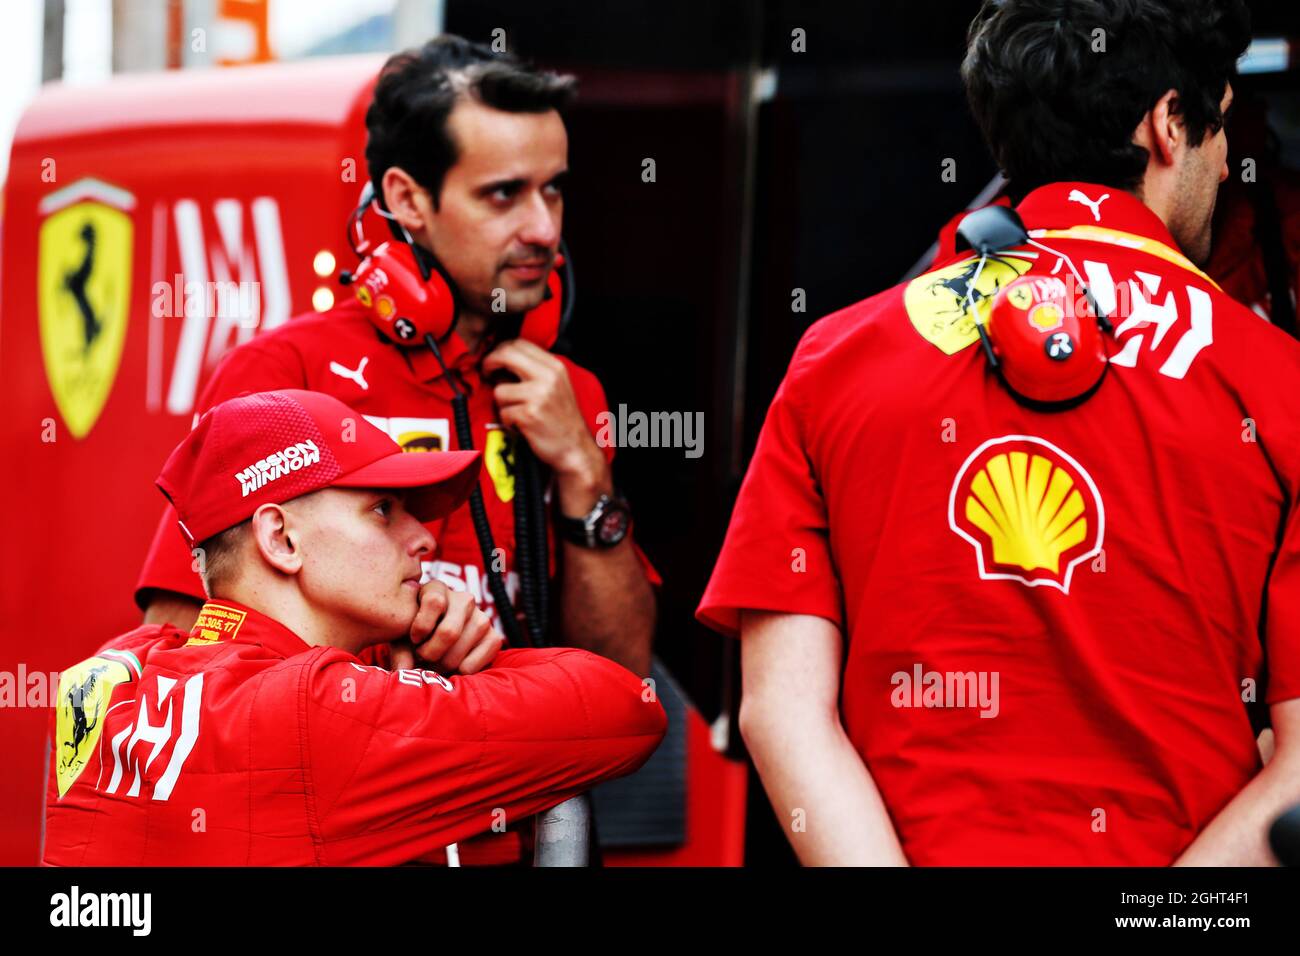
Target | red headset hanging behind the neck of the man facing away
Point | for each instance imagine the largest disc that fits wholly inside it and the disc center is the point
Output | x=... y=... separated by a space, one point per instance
x=1047 y=349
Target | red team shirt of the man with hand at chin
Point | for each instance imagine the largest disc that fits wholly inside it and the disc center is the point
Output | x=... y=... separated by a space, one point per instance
x=405 y=393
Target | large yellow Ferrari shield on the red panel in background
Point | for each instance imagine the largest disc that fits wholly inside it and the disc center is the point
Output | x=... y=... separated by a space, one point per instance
x=84 y=296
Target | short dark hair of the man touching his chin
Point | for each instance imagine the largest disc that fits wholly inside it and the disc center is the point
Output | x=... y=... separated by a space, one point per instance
x=419 y=88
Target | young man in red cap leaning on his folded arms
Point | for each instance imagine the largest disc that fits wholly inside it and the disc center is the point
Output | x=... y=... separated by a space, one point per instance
x=259 y=738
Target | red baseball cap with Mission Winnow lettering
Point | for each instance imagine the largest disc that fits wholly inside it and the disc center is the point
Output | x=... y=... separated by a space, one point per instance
x=271 y=447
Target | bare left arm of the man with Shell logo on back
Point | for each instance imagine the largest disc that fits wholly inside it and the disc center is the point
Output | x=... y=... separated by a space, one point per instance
x=821 y=790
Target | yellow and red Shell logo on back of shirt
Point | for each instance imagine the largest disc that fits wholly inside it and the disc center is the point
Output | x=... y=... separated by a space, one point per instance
x=1032 y=512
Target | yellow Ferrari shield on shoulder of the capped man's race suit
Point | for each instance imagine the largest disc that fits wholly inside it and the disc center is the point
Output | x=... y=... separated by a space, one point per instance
x=85 y=693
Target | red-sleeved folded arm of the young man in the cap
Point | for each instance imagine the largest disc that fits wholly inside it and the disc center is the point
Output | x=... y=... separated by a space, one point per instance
x=457 y=756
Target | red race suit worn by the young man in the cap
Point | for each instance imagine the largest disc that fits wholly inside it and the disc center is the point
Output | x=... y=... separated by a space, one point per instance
x=244 y=746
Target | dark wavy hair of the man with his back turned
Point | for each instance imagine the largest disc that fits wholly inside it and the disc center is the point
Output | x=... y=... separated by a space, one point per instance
x=1054 y=110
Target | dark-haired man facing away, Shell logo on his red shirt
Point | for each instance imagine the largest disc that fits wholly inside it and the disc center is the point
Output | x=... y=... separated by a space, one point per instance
x=1017 y=559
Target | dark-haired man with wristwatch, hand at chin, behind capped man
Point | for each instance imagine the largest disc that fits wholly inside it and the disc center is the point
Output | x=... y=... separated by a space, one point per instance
x=467 y=154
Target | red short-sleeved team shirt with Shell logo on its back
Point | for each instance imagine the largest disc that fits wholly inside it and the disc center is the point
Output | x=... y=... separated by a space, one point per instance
x=1121 y=570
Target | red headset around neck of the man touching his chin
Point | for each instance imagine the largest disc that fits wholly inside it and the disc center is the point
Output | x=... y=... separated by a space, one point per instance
x=410 y=297
